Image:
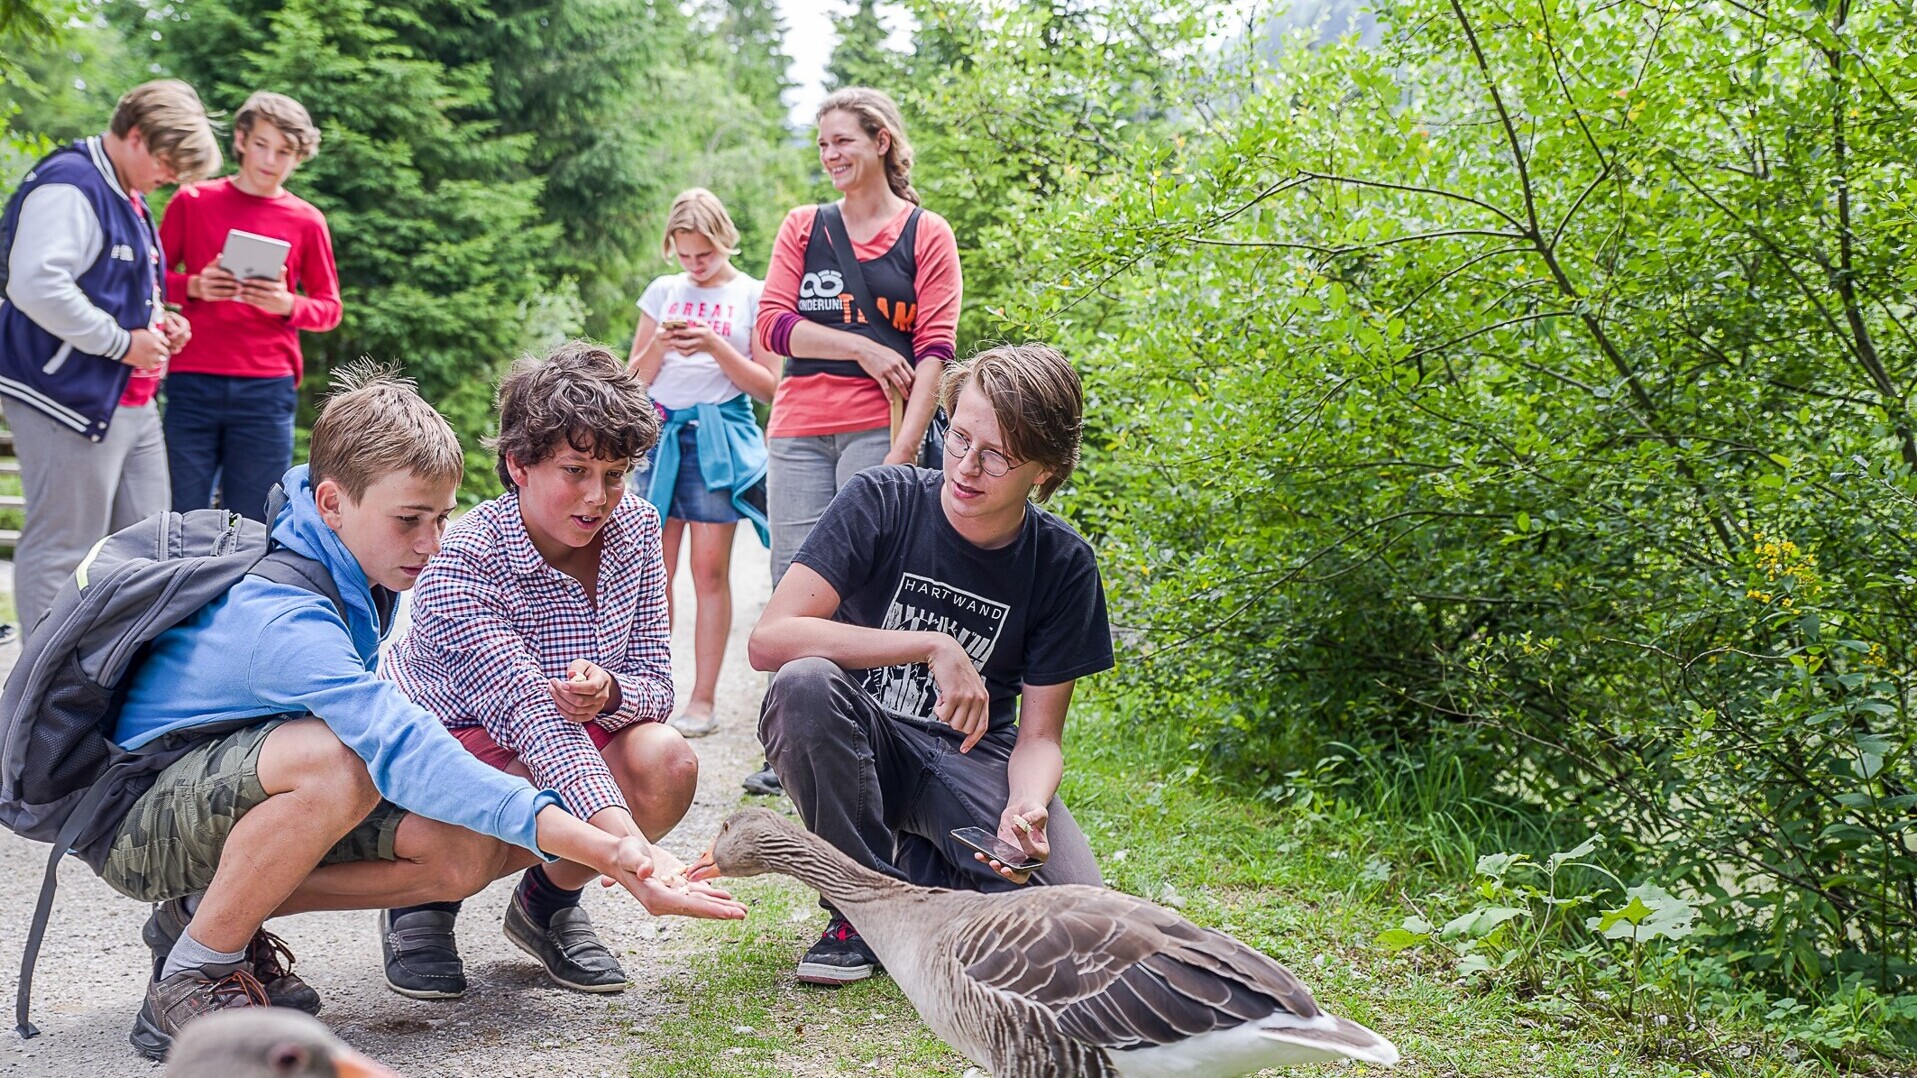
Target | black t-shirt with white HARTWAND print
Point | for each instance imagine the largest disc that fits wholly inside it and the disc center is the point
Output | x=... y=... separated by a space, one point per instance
x=1030 y=613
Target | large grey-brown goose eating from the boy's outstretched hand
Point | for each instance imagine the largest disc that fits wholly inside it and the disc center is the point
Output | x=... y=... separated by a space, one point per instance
x=1061 y=981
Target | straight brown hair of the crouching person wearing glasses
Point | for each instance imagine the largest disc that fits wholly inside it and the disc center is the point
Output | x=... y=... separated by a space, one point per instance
x=1036 y=398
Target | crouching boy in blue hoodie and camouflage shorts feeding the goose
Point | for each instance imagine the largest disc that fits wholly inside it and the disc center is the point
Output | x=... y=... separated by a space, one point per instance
x=342 y=795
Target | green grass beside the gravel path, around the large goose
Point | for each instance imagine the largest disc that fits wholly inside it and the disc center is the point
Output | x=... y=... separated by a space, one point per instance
x=1312 y=889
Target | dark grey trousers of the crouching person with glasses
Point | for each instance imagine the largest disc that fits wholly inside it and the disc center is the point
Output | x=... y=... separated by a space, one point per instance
x=889 y=791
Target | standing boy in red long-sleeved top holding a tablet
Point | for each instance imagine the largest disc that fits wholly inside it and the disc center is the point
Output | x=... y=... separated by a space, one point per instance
x=233 y=392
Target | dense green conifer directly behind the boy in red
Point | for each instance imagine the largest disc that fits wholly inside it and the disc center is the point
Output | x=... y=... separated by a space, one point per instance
x=434 y=214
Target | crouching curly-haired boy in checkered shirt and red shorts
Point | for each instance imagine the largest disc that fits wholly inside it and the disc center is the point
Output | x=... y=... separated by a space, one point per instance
x=540 y=636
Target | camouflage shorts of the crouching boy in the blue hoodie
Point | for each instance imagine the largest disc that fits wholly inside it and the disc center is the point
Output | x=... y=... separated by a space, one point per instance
x=172 y=841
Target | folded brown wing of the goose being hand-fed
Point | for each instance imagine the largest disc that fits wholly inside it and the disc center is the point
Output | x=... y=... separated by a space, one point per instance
x=1122 y=973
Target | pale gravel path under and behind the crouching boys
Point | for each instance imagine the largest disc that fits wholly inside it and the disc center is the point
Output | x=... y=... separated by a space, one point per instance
x=511 y=1023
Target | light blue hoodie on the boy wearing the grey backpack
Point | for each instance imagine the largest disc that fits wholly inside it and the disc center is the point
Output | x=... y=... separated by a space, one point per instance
x=271 y=649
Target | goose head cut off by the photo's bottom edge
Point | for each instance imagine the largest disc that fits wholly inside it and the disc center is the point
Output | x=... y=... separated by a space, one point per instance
x=266 y=1043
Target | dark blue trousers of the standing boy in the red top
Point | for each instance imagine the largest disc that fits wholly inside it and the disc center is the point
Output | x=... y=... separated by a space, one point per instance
x=229 y=434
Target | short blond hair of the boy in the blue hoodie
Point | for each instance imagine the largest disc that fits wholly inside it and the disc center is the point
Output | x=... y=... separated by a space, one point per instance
x=375 y=423
